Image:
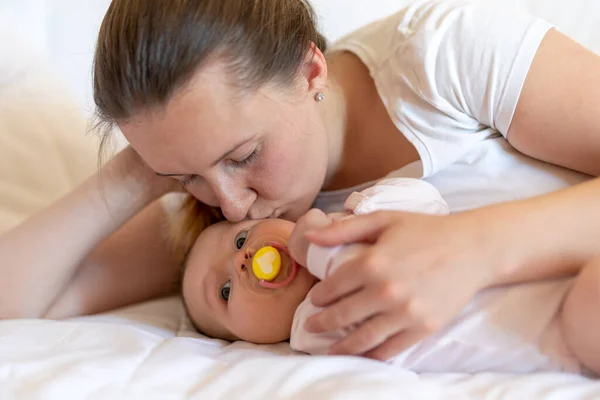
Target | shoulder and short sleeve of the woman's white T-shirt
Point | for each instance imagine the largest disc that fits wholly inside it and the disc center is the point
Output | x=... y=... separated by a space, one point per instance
x=449 y=71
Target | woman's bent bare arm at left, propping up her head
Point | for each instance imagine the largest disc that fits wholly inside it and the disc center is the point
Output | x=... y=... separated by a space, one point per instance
x=51 y=265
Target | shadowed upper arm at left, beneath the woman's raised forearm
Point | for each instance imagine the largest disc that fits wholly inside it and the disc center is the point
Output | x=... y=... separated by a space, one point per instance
x=134 y=264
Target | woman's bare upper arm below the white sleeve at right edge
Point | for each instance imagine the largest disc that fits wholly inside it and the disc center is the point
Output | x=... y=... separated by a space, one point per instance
x=557 y=118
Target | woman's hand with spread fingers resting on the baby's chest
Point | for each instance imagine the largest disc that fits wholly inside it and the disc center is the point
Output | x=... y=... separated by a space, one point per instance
x=417 y=275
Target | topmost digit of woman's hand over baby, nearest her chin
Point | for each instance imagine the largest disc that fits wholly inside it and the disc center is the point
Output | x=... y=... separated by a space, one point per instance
x=362 y=228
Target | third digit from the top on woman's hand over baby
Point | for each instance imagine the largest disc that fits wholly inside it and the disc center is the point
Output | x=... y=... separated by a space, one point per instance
x=350 y=310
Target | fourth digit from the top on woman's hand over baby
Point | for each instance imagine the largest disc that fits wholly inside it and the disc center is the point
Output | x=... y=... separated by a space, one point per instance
x=369 y=335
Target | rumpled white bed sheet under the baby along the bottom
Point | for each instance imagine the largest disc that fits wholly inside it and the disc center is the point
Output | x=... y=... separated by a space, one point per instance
x=149 y=351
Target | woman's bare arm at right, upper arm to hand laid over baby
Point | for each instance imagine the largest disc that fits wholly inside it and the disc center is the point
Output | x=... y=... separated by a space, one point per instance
x=422 y=270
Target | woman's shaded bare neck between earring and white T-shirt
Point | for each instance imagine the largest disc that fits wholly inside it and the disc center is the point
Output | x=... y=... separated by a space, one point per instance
x=364 y=143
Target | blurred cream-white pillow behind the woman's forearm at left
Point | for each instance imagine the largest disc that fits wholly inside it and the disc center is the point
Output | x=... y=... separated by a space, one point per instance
x=44 y=149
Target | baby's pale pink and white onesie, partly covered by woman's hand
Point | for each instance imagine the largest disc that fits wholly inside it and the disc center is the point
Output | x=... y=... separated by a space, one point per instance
x=512 y=329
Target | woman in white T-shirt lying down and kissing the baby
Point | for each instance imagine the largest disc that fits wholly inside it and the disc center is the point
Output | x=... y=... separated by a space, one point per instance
x=236 y=101
